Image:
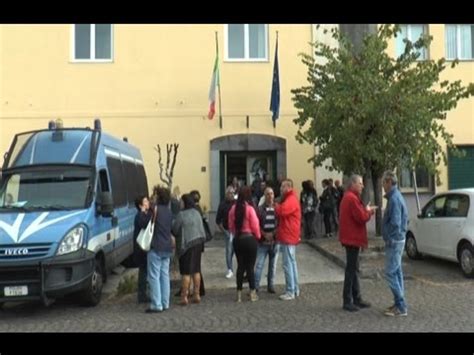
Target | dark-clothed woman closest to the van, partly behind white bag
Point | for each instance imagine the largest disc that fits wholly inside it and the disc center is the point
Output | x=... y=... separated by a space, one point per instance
x=142 y=218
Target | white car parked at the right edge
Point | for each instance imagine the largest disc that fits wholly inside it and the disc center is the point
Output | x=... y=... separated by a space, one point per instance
x=445 y=229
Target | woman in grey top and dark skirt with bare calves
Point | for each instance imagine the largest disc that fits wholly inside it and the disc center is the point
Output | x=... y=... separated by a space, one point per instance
x=190 y=236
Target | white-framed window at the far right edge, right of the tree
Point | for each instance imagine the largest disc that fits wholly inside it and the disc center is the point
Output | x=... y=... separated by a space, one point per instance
x=459 y=41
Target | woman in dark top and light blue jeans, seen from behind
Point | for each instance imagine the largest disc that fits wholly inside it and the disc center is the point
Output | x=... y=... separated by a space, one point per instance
x=160 y=253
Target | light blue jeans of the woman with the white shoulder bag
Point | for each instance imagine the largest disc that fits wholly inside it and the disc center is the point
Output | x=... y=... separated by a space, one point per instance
x=159 y=279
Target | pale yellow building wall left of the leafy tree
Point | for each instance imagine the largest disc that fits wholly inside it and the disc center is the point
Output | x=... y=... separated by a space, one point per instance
x=154 y=91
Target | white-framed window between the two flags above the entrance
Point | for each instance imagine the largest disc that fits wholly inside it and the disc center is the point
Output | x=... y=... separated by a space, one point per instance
x=246 y=42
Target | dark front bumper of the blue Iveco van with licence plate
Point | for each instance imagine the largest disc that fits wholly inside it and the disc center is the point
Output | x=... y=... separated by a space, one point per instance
x=48 y=278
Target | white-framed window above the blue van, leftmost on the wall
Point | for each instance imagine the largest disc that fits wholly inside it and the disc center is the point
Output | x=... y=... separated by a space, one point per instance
x=92 y=42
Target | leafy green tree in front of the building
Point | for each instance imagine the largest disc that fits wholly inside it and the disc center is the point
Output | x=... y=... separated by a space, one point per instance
x=370 y=112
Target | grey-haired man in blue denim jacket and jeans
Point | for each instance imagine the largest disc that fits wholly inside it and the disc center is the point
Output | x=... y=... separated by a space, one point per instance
x=394 y=228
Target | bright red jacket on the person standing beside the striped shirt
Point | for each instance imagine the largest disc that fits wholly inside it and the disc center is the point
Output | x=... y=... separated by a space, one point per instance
x=288 y=213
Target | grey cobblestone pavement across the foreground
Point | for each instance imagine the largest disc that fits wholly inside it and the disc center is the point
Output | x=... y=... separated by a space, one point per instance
x=433 y=307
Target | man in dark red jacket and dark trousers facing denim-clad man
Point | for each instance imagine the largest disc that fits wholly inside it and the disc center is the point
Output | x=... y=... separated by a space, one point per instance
x=353 y=236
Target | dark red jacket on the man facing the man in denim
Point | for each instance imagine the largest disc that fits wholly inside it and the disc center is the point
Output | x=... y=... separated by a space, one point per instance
x=352 y=221
